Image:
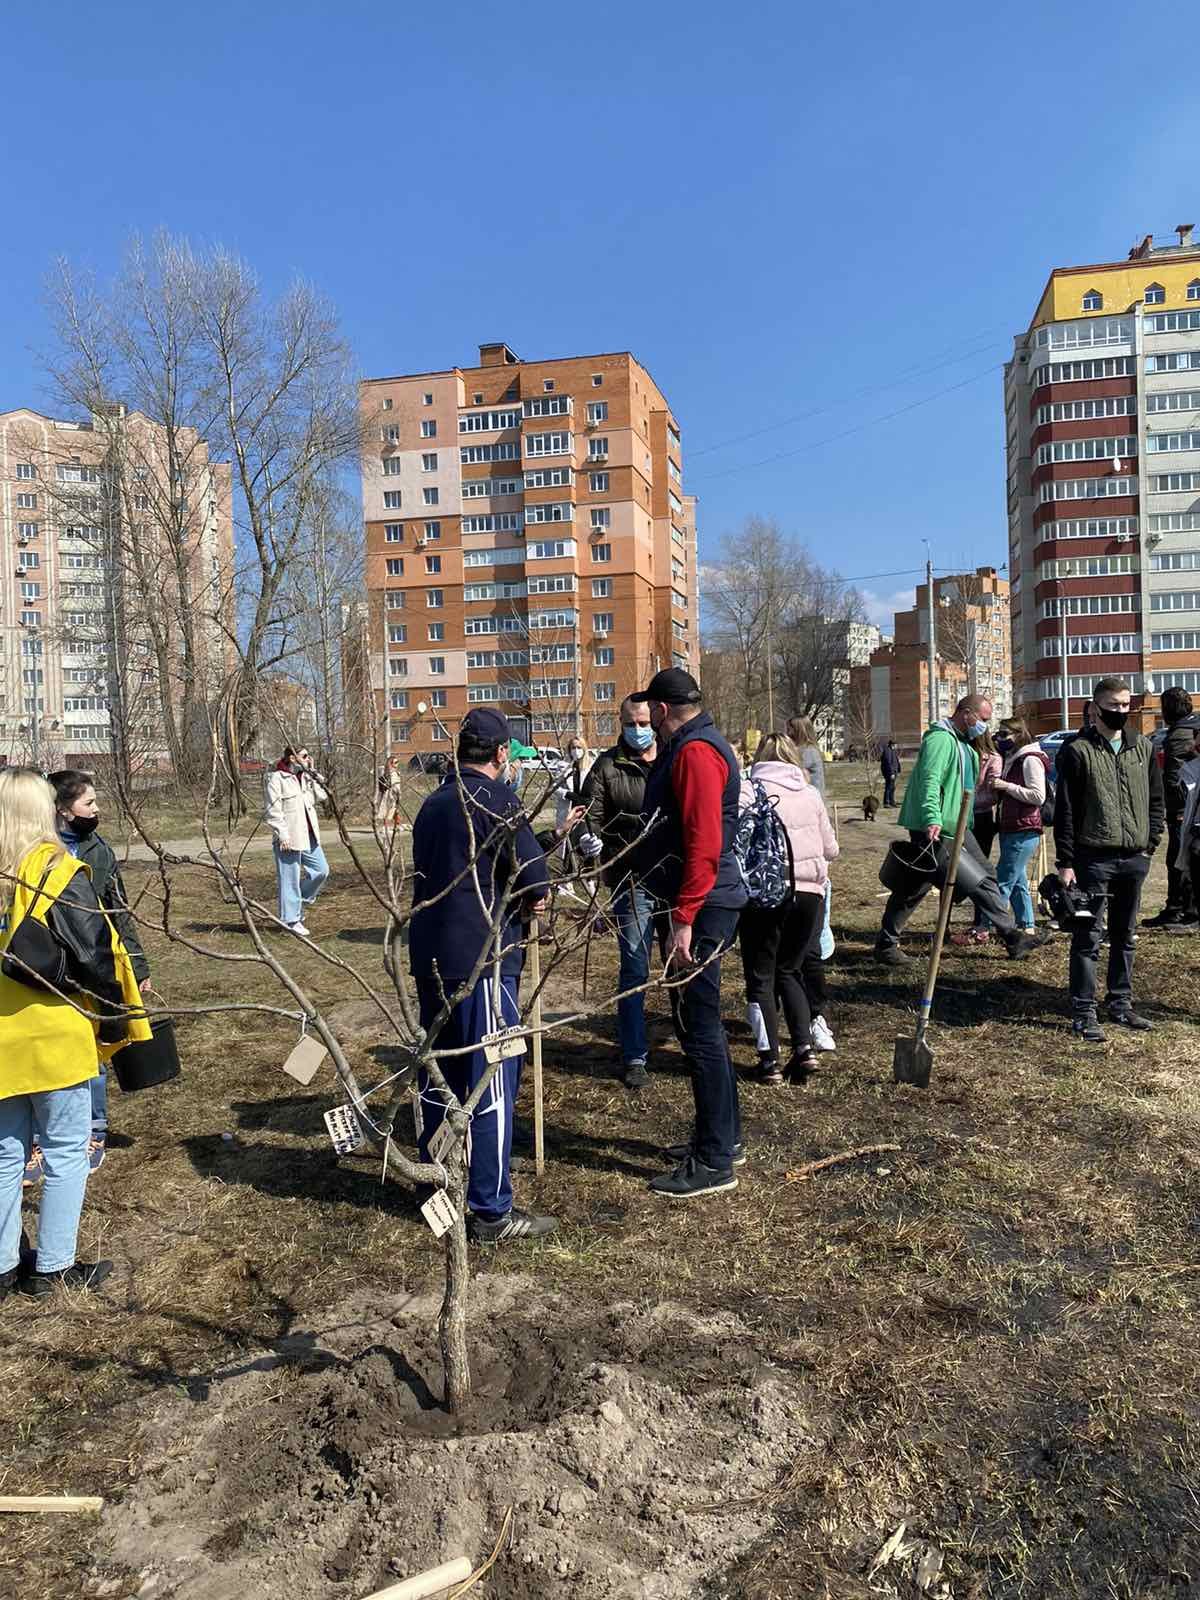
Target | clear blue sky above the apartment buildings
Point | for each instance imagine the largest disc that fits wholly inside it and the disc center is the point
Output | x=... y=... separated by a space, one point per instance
x=801 y=218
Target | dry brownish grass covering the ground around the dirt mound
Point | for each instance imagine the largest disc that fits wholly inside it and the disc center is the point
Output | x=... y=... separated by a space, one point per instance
x=998 y=1327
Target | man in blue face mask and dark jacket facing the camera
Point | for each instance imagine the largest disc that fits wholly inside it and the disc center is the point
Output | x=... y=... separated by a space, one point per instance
x=614 y=793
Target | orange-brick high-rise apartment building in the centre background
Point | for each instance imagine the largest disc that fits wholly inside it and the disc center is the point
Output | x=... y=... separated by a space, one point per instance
x=529 y=545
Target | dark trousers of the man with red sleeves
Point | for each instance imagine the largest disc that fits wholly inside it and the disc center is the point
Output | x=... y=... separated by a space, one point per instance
x=697 y=1012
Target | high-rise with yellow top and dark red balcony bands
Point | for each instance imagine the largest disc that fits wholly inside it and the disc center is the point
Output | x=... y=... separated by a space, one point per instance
x=1103 y=423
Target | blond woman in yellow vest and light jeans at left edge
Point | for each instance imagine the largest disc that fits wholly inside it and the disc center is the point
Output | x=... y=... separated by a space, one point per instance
x=50 y=1047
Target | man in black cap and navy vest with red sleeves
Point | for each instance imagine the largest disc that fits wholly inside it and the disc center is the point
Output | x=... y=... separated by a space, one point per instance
x=692 y=812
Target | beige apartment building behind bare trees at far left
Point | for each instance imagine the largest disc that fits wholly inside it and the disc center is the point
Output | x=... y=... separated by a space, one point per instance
x=110 y=540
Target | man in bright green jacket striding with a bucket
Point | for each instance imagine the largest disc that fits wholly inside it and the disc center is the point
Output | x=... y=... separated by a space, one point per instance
x=948 y=767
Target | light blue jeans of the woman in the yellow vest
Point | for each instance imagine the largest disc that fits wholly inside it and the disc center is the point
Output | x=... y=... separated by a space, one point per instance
x=62 y=1119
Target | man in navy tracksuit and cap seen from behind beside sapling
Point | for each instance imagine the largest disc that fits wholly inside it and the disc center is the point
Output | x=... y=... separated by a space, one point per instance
x=474 y=814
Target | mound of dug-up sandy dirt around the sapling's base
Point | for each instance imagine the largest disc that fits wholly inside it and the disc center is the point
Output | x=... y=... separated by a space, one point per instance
x=636 y=1450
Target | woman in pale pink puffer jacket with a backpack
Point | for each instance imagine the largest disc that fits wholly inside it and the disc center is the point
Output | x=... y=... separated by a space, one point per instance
x=777 y=942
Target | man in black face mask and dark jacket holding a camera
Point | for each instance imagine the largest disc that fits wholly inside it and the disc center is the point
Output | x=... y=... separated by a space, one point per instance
x=1110 y=817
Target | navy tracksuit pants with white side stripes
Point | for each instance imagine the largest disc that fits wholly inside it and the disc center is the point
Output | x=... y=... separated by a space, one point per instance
x=490 y=1135
